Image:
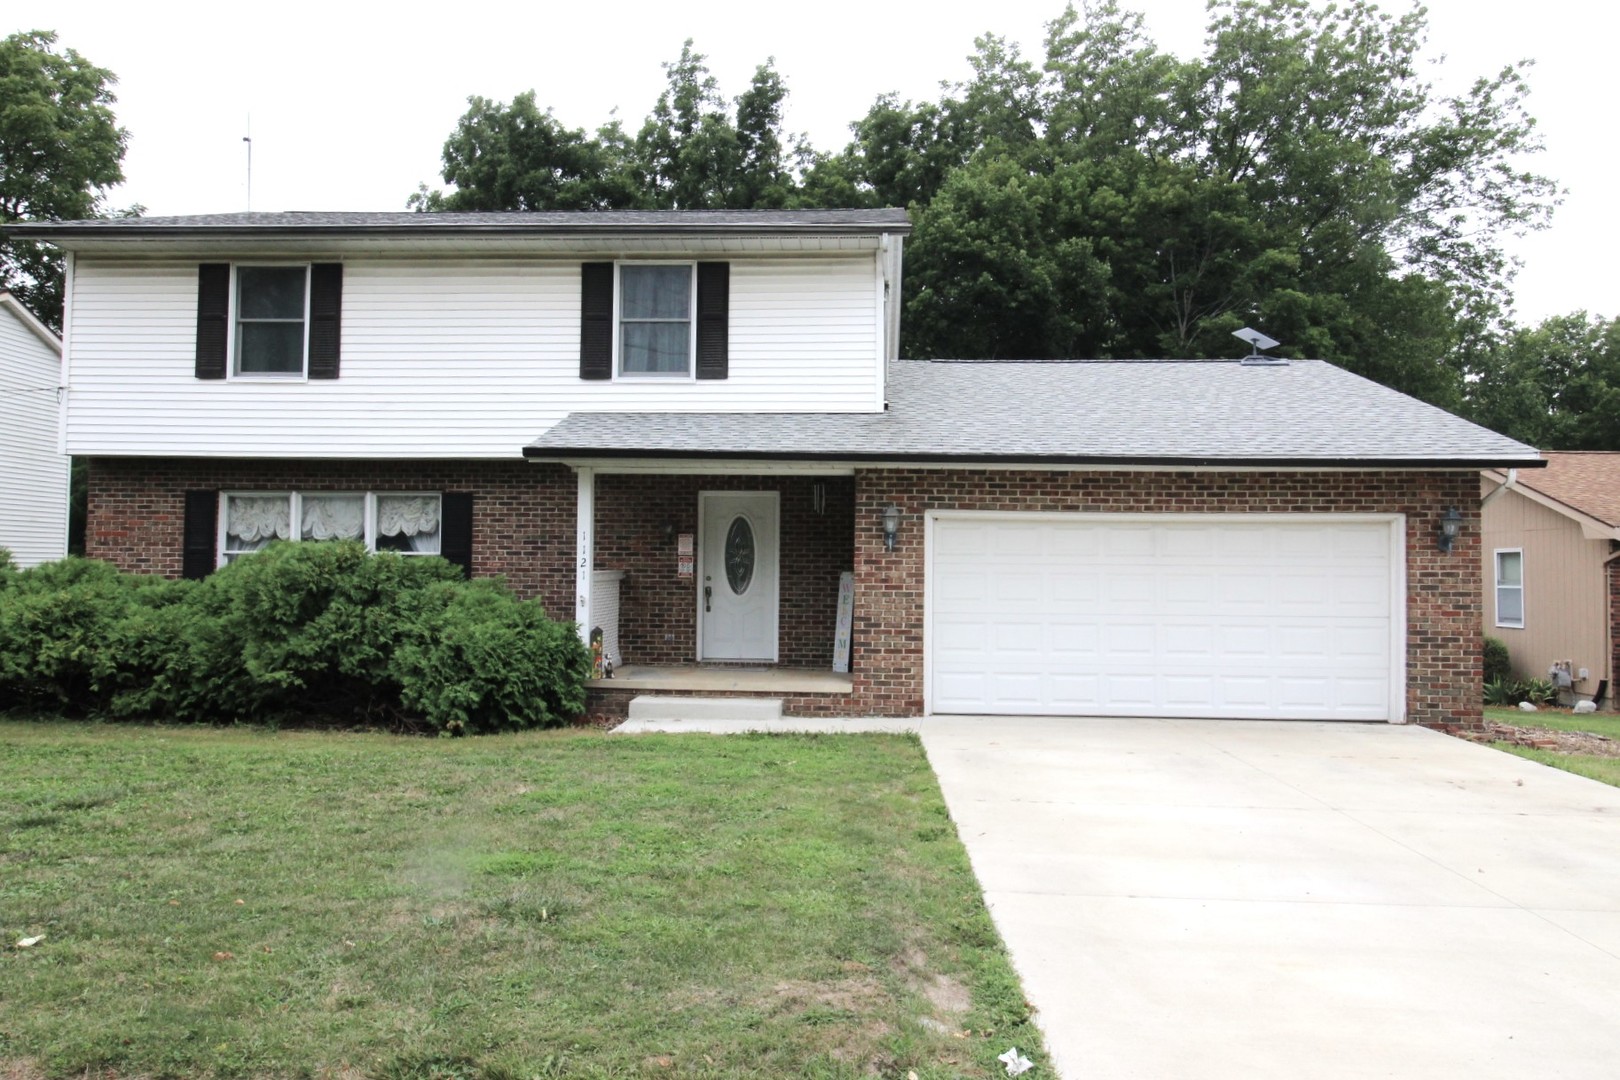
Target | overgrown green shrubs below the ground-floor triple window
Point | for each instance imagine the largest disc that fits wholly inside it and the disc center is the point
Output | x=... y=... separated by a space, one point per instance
x=297 y=631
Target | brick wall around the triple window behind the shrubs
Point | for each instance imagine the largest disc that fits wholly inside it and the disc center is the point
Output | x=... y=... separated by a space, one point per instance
x=522 y=514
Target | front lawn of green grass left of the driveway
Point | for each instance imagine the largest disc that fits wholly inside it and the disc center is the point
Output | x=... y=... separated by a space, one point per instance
x=560 y=904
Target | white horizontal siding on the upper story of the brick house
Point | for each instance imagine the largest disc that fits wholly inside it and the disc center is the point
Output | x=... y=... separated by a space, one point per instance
x=448 y=359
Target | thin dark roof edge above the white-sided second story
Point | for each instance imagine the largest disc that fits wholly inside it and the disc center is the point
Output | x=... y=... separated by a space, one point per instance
x=641 y=223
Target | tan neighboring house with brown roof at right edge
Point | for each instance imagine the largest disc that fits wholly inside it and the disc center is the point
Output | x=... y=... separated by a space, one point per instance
x=1551 y=569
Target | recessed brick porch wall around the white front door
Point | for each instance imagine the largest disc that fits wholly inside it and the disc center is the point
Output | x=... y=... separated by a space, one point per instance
x=636 y=517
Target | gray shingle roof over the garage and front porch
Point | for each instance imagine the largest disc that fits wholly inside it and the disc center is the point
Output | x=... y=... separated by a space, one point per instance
x=1076 y=412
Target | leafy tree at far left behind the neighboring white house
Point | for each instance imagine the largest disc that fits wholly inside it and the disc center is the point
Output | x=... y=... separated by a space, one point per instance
x=61 y=150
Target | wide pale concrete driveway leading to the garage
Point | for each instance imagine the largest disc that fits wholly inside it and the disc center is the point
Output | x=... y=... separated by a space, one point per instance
x=1195 y=899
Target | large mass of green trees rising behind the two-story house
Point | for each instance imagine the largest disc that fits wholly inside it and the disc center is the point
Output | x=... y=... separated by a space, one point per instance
x=1115 y=202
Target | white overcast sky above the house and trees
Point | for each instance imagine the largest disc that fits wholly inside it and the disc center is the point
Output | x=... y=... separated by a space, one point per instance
x=352 y=103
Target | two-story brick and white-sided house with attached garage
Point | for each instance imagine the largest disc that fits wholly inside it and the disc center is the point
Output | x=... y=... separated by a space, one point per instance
x=686 y=427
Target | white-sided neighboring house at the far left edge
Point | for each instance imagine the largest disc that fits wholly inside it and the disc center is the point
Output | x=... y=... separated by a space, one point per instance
x=33 y=469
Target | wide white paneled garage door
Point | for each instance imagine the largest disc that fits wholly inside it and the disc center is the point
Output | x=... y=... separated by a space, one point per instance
x=1162 y=616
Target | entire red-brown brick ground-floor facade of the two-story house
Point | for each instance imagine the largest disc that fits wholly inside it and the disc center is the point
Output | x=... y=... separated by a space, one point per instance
x=524 y=529
